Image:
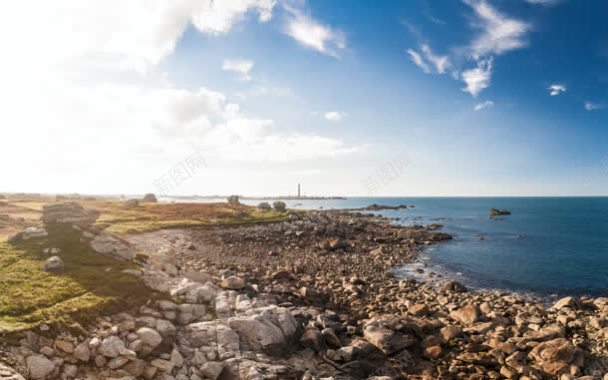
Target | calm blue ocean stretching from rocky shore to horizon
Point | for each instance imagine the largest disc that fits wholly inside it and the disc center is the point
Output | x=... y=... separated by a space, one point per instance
x=549 y=245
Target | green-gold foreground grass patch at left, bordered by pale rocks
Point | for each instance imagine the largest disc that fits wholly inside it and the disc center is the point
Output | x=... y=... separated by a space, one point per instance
x=30 y=296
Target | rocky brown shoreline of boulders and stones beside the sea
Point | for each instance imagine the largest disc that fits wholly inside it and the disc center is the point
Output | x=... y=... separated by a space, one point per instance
x=313 y=298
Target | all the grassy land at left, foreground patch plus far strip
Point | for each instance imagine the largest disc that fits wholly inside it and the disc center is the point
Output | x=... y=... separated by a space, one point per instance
x=92 y=284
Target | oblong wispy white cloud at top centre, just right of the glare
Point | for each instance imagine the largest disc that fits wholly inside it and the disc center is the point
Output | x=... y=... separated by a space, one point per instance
x=314 y=35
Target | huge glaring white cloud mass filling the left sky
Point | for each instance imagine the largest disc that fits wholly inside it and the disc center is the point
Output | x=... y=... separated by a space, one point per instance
x=100 y=96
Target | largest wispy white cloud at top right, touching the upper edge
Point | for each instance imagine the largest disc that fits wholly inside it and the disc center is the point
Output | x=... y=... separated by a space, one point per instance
x=499 y=33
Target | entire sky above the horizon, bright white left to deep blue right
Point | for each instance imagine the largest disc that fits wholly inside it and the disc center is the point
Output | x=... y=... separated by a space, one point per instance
x=386 y=98
